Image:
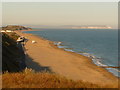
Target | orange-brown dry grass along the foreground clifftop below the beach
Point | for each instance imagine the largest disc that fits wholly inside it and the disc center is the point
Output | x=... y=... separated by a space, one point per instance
x=30 y=79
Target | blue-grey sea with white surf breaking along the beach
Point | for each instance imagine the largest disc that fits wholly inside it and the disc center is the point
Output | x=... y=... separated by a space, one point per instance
x=101 y=45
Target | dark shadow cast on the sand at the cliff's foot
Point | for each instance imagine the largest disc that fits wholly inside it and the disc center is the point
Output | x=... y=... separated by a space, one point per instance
x=35 y=66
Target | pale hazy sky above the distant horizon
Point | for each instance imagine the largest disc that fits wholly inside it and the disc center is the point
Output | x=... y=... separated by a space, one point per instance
x=61 y=13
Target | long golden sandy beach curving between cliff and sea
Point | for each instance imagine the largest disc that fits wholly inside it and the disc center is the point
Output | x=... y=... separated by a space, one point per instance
x=43 y=55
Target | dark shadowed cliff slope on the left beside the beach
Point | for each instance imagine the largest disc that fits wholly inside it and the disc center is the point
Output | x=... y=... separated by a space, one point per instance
x=13 y=57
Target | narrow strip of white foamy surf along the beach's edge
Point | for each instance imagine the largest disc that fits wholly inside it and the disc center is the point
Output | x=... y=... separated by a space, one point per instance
x=58 y=45
